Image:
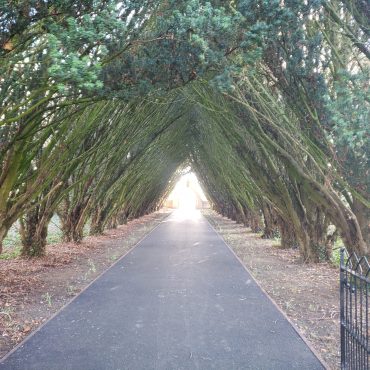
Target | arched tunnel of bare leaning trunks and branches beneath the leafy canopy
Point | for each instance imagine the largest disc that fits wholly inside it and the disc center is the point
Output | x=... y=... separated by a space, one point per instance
x=251 y=160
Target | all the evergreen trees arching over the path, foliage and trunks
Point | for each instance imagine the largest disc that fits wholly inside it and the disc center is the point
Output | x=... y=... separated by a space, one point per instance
x=102 y=104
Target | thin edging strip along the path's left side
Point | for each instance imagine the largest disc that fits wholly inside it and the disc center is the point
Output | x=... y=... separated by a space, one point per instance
x=20 y=344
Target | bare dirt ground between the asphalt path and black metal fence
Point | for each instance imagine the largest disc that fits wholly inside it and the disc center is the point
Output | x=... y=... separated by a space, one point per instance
x=307 y=293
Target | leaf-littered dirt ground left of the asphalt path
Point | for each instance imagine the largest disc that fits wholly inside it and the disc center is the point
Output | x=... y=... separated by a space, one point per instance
x=31 y=291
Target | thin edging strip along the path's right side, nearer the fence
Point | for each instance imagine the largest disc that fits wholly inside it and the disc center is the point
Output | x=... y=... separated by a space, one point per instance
x=305 y=340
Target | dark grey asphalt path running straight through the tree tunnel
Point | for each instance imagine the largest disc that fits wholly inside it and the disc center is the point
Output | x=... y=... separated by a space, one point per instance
x=179 y=300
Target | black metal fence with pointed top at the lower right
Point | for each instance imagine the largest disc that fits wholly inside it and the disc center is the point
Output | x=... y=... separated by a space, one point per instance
x=354 y=311
